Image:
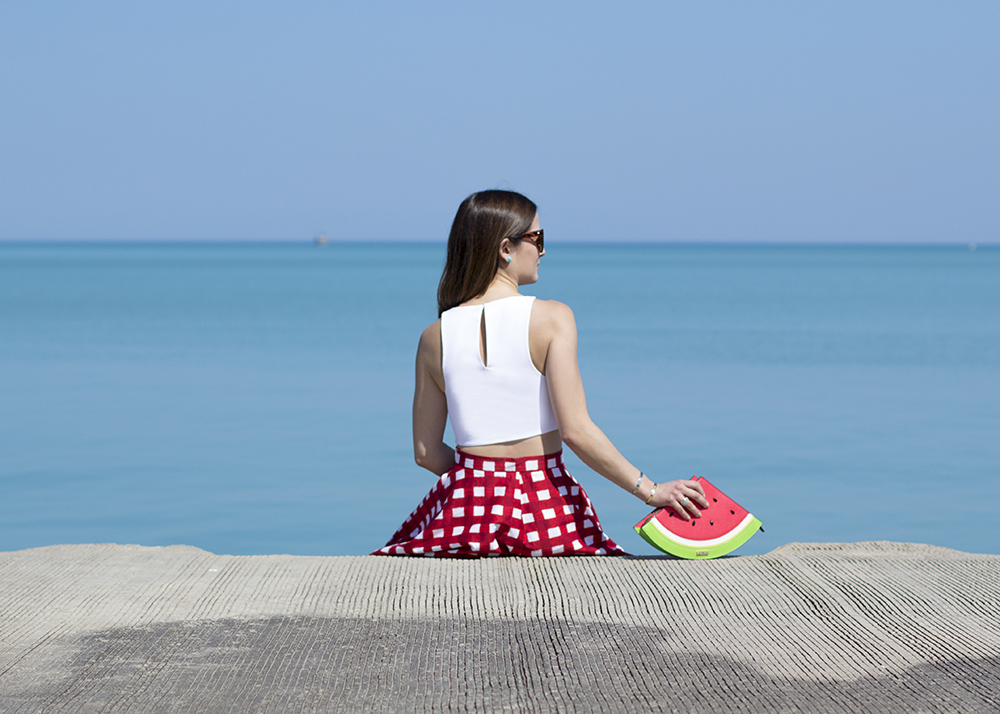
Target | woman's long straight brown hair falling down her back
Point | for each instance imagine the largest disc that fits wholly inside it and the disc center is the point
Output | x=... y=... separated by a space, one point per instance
x=483 y=220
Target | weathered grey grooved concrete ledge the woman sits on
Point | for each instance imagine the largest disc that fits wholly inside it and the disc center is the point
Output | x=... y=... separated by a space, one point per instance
x=820 y=628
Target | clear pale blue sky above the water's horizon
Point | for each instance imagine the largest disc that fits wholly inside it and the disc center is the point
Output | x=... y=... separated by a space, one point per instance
x=720 y=121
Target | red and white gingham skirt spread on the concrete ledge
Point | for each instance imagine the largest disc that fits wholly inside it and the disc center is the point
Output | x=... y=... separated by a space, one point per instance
x=486 y=506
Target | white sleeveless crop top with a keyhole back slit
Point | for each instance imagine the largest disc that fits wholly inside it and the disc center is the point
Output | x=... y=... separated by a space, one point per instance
x=507 y=398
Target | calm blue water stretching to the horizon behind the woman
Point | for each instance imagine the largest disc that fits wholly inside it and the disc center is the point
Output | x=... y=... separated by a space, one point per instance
x=256 y=398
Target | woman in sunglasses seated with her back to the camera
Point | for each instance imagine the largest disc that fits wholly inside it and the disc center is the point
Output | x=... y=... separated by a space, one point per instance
x=503 y=366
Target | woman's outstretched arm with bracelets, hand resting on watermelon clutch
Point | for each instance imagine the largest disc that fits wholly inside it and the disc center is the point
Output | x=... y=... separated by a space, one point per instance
x=578 y=431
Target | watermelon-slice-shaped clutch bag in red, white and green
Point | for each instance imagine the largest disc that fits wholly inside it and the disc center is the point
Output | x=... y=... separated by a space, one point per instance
x=723 y=527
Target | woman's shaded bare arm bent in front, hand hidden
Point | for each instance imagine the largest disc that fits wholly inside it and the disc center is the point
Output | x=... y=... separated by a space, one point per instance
x=430 y=408
